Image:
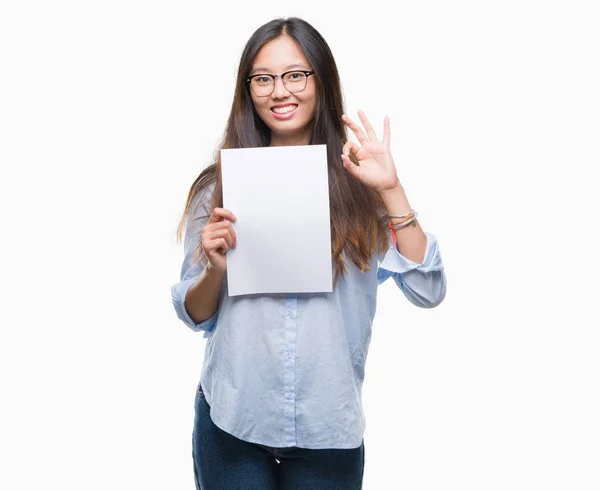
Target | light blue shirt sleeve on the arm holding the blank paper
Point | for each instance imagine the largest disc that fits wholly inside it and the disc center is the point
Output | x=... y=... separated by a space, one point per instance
x=190 y=271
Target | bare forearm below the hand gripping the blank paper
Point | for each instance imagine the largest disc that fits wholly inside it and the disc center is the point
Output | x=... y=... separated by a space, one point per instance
x=202 y=297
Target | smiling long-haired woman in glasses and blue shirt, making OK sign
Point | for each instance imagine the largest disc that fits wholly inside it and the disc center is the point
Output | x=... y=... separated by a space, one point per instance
x=279 y=403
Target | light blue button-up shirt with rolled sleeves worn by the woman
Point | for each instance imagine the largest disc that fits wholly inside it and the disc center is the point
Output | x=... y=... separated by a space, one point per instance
x=287 y=370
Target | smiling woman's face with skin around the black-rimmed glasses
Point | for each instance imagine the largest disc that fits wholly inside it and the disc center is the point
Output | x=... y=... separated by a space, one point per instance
x=292 y=128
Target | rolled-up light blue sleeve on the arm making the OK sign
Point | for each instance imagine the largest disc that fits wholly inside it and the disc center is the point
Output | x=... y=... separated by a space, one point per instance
x=424 y=284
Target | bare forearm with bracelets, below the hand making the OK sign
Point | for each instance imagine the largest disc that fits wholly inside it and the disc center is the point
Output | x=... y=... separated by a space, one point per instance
x=412 y=241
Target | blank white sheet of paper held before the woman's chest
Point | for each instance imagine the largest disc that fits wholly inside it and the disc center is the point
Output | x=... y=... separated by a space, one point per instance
x=280 y=197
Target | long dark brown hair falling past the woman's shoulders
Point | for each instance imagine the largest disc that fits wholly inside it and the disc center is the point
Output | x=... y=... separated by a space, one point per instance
x=356 y=211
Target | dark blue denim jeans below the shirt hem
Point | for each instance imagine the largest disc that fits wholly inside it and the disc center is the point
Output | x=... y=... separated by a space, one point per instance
x=224 y=462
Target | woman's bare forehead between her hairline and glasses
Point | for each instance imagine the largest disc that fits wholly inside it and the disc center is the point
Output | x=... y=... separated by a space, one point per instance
x=279 y=55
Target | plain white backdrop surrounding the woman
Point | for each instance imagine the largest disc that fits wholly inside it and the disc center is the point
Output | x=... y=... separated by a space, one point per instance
x=108 y=112
